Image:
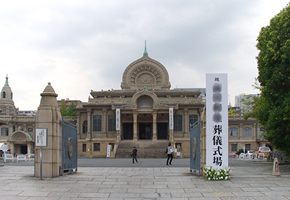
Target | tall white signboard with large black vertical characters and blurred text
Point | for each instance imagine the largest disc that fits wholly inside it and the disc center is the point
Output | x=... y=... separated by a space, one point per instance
x=216 y=120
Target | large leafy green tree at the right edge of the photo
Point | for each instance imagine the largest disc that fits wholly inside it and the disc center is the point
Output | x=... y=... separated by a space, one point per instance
x=272 y=108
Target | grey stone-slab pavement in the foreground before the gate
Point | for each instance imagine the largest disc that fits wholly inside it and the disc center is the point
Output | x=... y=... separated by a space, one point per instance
x=17 y=182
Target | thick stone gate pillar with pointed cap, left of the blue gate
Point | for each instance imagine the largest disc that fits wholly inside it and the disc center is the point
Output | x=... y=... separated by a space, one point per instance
x=49 y=117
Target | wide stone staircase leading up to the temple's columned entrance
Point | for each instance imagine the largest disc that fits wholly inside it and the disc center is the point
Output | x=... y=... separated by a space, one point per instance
x=145 y=148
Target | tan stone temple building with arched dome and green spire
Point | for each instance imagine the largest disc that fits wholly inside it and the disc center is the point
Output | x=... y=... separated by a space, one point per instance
x=145 y=101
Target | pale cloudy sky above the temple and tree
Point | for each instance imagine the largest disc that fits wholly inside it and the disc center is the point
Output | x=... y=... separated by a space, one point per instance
x=81 y=46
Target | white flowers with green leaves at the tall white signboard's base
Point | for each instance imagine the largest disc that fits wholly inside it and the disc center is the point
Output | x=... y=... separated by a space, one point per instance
x=212 y=174
